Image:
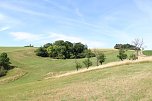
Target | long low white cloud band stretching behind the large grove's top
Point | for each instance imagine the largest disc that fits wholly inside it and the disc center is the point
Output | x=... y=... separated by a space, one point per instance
x=41 y=39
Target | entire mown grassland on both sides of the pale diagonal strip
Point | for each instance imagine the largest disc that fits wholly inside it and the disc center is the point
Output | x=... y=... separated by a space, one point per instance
x=121 y=83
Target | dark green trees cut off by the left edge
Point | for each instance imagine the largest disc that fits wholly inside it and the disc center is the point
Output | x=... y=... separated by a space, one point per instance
x=4 y=64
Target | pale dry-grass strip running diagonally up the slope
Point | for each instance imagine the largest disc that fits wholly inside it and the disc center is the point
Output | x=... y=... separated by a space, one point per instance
x=111 y=64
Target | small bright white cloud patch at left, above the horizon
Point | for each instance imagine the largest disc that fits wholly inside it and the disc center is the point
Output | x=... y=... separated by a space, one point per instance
x=25 y=36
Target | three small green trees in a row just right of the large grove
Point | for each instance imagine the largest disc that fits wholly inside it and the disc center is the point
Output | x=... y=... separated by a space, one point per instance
x=100 y=57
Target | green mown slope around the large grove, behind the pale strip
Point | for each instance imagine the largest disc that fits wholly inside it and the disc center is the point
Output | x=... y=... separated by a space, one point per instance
x=37 y=67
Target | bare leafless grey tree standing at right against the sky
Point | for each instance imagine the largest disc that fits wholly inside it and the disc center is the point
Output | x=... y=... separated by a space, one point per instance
x=138 y=44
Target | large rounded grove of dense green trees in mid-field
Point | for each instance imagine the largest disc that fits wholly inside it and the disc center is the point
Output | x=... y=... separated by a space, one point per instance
x=63 y=50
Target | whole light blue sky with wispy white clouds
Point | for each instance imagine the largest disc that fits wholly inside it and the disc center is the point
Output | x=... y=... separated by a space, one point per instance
x=97 y=23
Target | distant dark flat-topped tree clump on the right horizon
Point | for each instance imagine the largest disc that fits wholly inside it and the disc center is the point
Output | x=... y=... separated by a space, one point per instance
x=126 y=46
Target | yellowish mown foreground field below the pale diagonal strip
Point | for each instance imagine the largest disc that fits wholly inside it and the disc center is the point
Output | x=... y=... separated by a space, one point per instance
x=121 y=83
